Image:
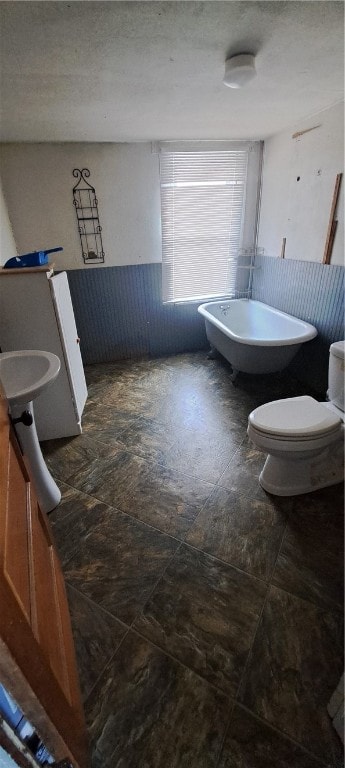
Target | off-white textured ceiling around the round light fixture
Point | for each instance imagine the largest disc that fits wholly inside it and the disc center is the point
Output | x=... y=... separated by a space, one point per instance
x=137 y=71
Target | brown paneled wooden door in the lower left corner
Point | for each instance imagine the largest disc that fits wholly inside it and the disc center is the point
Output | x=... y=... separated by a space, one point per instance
x=37 y=661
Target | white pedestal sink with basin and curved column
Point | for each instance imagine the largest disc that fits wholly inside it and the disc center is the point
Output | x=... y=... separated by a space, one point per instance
x=24 y=375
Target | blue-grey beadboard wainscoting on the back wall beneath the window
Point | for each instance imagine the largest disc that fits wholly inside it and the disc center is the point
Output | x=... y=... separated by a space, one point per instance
x=120 y=315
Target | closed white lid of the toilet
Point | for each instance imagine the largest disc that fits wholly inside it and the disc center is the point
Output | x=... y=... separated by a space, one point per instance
x=294 y=417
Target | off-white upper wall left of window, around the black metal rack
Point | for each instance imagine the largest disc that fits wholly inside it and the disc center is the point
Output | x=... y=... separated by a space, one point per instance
x=38 y=182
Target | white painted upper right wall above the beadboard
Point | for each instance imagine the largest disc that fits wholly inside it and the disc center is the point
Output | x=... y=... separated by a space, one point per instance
x=299 y=210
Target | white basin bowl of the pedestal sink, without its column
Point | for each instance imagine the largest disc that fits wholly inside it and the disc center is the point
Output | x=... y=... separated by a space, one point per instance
x=26 y=373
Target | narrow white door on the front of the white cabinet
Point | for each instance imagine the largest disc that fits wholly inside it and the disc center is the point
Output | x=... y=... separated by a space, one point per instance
x=69 y=338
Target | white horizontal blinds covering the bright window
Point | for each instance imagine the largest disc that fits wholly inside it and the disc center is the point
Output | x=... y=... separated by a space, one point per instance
x=202 y=200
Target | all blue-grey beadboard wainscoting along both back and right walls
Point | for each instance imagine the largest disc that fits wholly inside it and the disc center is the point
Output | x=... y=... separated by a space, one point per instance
x=120 y=315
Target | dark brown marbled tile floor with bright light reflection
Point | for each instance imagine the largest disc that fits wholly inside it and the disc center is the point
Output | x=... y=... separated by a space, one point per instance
x=207 y=615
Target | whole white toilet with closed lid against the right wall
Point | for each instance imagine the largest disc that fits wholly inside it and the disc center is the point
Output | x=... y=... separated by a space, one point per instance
x=304 y=439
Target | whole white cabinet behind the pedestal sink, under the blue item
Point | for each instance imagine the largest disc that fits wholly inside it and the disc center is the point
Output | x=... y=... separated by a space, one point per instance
x=31 y=319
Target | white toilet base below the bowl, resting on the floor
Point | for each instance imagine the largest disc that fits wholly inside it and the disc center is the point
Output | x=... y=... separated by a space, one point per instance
x=291 y=477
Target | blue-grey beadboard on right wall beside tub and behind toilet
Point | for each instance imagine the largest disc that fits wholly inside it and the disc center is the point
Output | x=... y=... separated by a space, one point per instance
x=315 y=293
